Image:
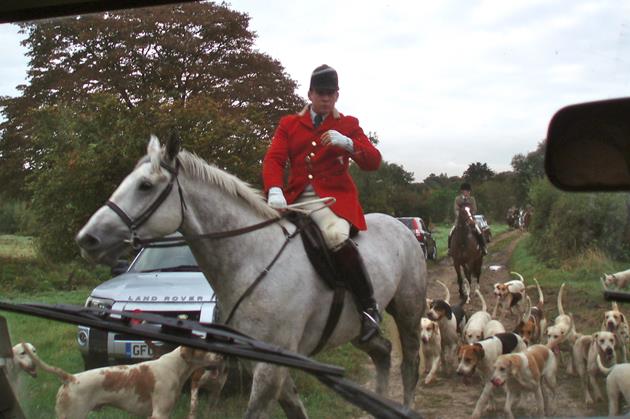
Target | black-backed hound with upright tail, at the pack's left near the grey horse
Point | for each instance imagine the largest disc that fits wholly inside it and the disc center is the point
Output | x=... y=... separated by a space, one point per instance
x=450 y=319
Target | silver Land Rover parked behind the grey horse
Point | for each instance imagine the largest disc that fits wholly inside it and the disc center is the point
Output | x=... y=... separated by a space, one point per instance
x=164 y=281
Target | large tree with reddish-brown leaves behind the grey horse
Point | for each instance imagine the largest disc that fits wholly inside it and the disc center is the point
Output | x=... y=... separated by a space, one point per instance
x=155 y=60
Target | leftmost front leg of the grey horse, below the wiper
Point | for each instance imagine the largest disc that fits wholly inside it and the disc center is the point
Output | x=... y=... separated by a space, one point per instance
x=267 y=384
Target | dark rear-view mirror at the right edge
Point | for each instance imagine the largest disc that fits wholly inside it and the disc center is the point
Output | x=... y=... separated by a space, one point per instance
x=588 y=147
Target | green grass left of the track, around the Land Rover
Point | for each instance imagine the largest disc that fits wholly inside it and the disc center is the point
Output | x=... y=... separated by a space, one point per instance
x=56 y=342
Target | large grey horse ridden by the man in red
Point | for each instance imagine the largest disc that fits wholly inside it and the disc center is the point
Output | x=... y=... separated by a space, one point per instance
x=173 y=190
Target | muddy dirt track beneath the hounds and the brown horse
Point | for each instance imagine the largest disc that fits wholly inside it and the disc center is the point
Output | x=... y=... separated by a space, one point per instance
x=448 y=396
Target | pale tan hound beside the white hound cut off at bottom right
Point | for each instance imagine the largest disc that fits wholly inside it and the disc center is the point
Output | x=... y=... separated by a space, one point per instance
x=585 y=351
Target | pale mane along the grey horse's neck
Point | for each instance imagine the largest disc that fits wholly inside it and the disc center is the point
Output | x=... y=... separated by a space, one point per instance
x=197 y=168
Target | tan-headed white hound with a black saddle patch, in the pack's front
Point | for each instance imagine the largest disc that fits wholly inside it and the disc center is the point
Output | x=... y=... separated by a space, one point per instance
x=481 y=356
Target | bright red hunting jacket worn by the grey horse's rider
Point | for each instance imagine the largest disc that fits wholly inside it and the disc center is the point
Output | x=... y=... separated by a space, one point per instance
x=326 y=168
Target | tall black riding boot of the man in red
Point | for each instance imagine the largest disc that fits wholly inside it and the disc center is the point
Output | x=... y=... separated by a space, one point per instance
x=350 y=265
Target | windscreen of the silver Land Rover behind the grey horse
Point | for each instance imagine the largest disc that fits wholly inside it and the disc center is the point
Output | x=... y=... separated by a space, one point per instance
x=165 y=259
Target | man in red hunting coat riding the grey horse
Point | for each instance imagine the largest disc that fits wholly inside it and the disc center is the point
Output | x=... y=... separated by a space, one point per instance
x=318 y=143
